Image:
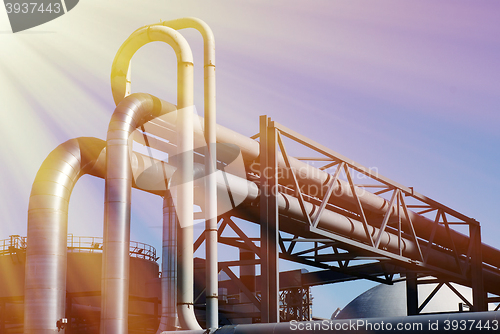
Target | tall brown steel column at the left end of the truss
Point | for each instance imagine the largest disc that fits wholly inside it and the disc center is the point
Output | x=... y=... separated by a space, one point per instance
x=269 y=222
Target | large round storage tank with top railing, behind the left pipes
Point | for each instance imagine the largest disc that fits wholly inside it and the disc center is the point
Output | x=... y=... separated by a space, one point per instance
x=83 y=283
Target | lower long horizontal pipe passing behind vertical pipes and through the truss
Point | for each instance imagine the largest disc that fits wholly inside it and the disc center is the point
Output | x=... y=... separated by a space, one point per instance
x=232 y=189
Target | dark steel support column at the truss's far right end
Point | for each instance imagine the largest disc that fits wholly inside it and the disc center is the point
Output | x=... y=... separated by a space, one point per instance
x=479 y=297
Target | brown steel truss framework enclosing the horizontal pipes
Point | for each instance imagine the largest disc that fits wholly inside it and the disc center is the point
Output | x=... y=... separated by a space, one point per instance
x=341 y=256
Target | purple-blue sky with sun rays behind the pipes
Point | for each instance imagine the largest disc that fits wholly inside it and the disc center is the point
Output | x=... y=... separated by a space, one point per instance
x=409 y=88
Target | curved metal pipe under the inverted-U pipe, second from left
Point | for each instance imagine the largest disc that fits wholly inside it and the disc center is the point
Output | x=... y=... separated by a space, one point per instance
x=131 y=113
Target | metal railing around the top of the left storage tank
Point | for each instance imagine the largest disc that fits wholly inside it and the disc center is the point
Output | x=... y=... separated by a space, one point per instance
x=81 y=245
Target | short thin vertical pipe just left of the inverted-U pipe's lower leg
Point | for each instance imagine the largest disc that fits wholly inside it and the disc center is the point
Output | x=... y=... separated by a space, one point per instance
x=168 y=320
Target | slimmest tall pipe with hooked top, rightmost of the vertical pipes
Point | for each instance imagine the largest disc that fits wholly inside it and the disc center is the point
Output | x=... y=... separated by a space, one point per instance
x=210 y=210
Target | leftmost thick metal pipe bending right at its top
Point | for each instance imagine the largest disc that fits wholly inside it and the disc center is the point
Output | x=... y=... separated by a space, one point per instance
x=45 y=281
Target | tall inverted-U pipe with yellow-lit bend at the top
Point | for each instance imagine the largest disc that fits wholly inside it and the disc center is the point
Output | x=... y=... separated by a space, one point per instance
x=120 y=79
